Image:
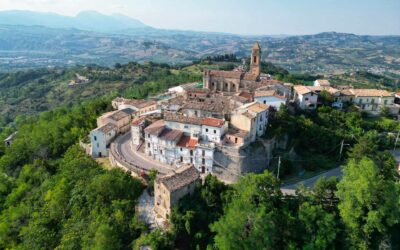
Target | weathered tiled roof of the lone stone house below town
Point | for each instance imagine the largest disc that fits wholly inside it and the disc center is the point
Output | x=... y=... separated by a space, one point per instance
x=180 y=178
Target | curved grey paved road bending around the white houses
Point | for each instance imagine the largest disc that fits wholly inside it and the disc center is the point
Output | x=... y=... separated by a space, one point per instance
x=123 y=144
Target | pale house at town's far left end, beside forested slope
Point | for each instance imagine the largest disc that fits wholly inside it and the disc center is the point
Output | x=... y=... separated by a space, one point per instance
x=100 y=138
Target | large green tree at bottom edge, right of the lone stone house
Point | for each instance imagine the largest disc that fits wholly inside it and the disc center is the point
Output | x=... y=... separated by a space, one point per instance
x=252 y=217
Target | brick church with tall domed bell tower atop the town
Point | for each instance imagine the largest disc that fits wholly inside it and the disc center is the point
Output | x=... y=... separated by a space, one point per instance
x=234 y=81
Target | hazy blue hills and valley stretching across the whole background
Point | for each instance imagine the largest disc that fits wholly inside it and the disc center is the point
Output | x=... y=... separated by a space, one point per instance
x=24 y=47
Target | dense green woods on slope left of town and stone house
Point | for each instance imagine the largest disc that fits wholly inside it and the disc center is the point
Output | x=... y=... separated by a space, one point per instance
x=53 y=196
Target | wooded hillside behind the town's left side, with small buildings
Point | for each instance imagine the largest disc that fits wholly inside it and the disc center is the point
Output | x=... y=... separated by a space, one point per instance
x=34 y=91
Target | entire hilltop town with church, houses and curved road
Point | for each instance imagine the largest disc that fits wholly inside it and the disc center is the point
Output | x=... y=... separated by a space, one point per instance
x=213 y=127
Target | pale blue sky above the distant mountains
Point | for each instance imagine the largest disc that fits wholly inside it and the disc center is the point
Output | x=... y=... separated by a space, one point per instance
x=248 y=17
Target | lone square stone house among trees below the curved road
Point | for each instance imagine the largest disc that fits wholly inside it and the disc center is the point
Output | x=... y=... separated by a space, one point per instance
x=169 y=189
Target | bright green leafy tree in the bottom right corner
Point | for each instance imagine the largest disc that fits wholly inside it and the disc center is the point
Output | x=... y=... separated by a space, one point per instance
x=369 y=204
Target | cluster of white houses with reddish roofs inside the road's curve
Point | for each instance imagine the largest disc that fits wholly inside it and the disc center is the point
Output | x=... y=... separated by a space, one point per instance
x=179 y=140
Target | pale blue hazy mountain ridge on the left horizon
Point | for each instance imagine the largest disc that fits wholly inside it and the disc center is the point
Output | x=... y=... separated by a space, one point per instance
x=87 y=20
